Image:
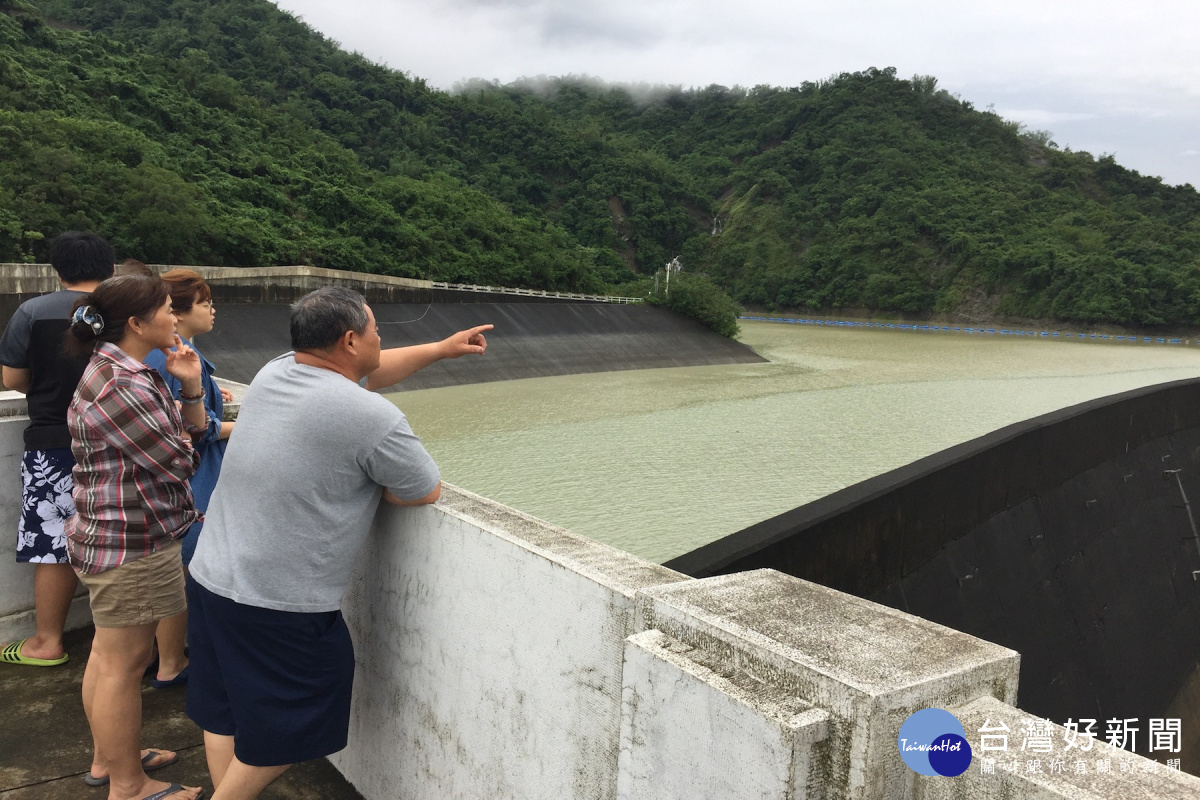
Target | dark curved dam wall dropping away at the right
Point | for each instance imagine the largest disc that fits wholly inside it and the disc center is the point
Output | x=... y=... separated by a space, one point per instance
x=1069 y=538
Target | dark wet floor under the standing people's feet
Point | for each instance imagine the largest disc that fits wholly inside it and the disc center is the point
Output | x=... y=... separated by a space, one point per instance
x=46 y=745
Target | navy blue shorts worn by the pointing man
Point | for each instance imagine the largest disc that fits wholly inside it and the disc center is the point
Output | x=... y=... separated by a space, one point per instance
x=278 y=682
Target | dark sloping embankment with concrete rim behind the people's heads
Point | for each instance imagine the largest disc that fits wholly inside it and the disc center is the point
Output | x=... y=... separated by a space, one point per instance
x=537 y=334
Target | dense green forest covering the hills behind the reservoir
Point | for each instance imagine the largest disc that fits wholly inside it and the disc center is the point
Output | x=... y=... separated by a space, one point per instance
x=229 y=133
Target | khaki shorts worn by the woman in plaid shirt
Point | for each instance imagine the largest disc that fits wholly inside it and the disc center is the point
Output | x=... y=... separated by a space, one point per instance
x=142 y=592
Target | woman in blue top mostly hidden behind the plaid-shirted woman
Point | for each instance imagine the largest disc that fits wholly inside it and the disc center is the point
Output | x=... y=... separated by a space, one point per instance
x=191 y=300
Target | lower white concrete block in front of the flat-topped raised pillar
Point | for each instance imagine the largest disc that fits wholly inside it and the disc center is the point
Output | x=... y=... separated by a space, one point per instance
x=695 y=730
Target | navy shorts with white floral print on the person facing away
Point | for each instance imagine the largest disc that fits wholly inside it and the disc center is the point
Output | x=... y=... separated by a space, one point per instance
x=46 y=506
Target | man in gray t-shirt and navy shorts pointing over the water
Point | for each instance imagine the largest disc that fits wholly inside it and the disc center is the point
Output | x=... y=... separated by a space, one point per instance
x=272 y=661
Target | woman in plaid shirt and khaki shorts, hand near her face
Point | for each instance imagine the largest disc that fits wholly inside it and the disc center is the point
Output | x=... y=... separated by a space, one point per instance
x=134 y=452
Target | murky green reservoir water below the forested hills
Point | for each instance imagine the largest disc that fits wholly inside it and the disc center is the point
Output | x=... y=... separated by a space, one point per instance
x=658 y=462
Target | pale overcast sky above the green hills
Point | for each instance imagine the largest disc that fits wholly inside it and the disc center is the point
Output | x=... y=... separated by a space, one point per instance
x=1107 y=77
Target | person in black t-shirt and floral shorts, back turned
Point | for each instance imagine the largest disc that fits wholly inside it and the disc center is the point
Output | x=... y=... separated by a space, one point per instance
x=33 y=363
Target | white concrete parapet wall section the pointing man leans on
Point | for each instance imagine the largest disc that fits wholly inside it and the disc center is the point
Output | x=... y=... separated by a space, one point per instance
x=490 y=651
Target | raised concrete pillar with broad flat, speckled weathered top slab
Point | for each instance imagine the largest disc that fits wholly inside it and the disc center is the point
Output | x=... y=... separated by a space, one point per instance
x=868 y=666
